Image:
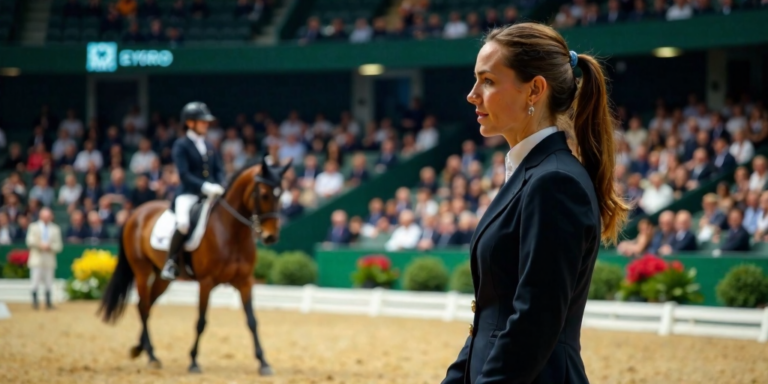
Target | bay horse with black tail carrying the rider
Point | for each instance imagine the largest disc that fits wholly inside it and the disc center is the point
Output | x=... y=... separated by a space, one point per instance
x=226 y=254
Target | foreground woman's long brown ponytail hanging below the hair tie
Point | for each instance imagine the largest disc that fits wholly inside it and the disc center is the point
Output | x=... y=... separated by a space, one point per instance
x=593 y=127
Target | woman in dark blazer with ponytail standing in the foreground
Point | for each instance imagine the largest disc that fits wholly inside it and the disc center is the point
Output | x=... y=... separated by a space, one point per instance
x=534 y=250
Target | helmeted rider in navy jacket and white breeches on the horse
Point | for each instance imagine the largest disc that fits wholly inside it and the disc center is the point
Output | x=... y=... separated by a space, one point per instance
x=201 y=173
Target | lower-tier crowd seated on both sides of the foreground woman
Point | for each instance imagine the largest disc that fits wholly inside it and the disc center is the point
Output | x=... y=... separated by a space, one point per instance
x=658 y=161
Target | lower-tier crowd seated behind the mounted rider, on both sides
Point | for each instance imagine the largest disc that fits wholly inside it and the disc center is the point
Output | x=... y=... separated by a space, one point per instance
x=134 y=158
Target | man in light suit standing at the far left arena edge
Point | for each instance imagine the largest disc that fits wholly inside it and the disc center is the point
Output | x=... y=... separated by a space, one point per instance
x=44 y=242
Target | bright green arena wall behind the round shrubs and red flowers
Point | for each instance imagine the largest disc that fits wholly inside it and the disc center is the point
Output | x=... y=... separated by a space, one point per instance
x=337 y=265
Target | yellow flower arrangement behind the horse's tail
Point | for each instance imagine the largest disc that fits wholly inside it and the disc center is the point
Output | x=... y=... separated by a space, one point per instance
x=92 y=272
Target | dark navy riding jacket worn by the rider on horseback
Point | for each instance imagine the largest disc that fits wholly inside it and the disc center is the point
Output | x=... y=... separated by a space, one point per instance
x=195 y=169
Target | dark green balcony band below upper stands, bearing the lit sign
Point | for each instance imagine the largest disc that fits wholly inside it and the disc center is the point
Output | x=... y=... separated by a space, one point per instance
x=627 y=39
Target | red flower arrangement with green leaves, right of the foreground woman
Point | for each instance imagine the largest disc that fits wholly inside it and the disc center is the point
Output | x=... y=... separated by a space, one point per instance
x=652 y=279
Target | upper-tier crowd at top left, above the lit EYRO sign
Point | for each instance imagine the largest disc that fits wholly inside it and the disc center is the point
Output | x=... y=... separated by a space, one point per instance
x=149 y=21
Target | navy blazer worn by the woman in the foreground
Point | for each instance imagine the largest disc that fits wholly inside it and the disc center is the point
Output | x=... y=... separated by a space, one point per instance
x=532 y=258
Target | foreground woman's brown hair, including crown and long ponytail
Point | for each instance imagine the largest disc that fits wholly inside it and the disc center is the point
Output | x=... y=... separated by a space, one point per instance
x=537 y=50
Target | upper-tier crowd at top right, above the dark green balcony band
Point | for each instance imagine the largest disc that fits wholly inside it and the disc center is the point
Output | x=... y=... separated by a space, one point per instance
x=580 y=13
